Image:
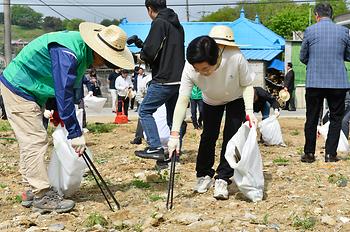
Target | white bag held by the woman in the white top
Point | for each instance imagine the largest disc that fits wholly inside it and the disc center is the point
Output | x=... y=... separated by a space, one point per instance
x=248 y=170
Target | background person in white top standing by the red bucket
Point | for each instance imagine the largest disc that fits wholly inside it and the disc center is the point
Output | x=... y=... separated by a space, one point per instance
x=123 y=85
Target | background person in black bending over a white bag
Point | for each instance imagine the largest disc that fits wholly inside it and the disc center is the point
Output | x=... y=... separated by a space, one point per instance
x=262 y=102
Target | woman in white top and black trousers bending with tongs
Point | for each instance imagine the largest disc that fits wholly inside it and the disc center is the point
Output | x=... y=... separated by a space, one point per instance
x=219 y=69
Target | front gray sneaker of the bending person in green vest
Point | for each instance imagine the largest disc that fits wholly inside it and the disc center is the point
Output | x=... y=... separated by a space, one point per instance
x=52 y=201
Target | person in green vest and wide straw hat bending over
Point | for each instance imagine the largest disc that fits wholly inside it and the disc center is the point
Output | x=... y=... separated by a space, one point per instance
x=50 y=66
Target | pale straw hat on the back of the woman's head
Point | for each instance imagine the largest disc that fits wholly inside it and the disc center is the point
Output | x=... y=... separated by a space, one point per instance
x=223 y=35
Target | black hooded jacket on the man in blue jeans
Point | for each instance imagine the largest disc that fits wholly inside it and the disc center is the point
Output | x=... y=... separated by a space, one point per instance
x=164 y=48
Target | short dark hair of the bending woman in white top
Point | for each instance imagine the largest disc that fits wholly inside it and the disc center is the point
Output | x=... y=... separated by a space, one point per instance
x=202 y=49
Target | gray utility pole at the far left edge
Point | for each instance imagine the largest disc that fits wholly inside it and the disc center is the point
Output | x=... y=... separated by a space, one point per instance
x=7 y=36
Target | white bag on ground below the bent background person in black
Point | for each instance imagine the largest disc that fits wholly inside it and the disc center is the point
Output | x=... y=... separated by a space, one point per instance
x=270 y=130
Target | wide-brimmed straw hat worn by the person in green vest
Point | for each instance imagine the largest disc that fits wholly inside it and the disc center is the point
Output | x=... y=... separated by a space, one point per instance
x=109 y=42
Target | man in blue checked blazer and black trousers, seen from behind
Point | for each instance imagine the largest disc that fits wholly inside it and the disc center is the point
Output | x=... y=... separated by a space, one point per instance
x=324 y=49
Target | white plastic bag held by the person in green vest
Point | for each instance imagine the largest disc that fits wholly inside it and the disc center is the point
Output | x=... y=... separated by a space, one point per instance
x=66 y=168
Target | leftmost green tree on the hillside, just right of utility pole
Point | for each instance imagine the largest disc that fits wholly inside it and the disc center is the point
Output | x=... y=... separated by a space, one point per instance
x=25 y=16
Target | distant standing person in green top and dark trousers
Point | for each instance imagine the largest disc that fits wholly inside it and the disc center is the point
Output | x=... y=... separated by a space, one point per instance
x=196 y=100
